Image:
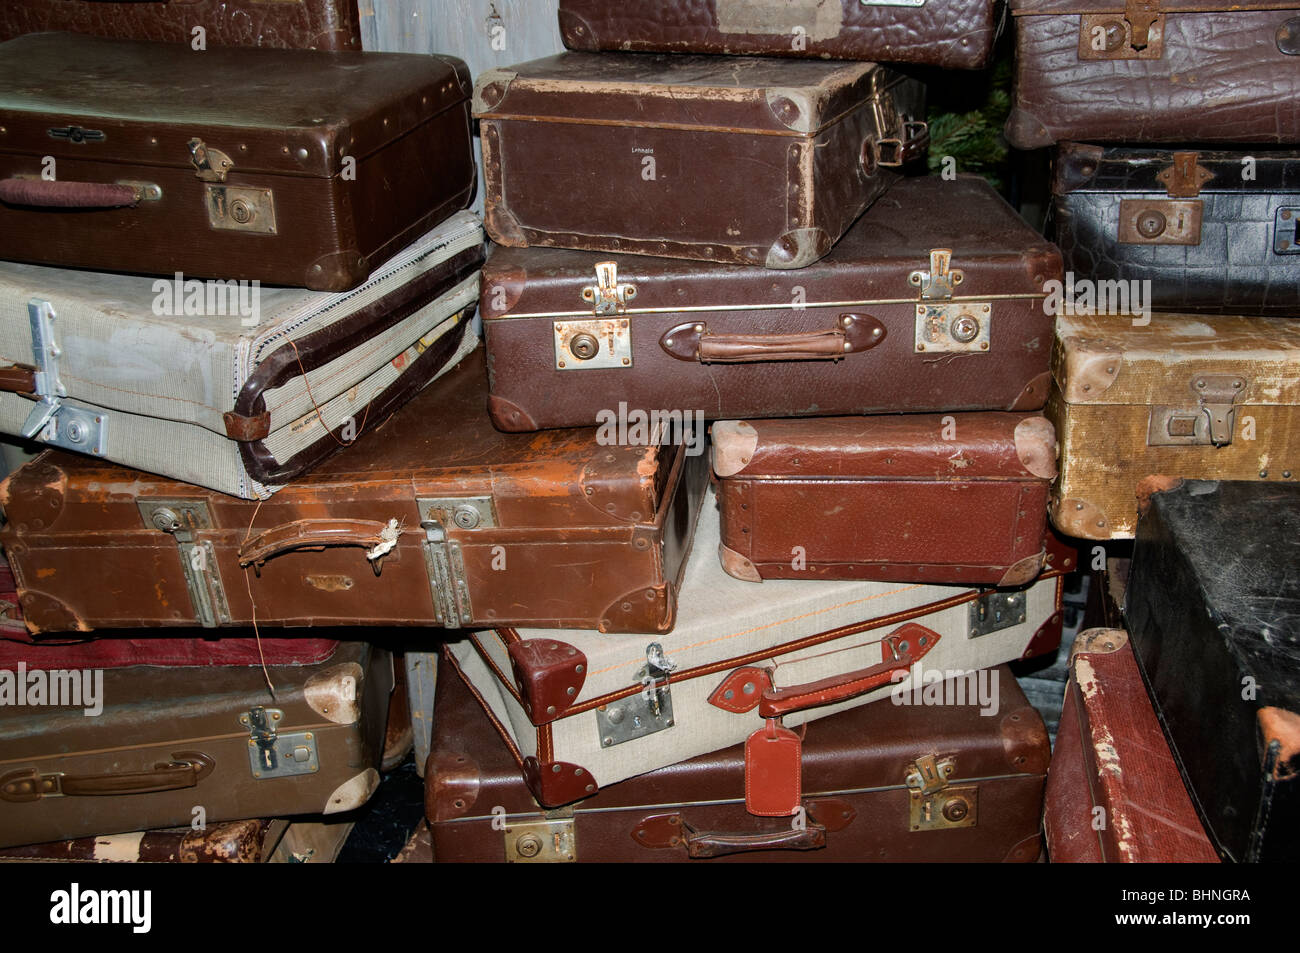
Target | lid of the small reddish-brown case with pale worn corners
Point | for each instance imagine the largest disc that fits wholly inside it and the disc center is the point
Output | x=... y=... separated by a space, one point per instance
x=915 y=447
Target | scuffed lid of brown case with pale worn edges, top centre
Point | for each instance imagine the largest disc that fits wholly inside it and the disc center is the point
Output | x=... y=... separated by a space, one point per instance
x=736 y=94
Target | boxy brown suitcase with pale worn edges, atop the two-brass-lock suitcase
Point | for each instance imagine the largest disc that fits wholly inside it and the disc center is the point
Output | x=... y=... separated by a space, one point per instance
x=756 y=162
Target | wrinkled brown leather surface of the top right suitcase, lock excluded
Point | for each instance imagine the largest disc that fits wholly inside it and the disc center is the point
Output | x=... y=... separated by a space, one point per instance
x=1221 y=79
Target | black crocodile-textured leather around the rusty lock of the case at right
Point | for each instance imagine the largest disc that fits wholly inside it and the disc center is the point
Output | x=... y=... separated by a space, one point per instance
x=1234 y=270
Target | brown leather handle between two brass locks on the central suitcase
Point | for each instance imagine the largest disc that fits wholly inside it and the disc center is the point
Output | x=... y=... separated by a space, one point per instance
x=852 y=333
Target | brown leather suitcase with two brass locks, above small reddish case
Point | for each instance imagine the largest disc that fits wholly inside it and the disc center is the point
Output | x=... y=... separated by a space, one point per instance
x=933 y=302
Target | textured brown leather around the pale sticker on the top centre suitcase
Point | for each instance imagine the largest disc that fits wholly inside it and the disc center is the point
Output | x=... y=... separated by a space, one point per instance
x=954 y=34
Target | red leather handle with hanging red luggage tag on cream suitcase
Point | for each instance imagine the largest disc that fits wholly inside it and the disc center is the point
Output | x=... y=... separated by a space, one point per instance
x=774 y=753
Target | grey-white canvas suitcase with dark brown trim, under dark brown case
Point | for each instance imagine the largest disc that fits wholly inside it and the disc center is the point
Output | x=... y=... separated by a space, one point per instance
x=232 y=400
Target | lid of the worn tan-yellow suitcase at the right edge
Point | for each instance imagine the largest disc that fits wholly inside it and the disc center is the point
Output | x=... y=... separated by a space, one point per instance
x=1108 y=359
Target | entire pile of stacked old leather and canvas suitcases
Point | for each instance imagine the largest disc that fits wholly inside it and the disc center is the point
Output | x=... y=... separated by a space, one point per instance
x=726 y=531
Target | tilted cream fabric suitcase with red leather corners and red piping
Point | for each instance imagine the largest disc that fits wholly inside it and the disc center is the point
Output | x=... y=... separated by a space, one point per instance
x=587 y=711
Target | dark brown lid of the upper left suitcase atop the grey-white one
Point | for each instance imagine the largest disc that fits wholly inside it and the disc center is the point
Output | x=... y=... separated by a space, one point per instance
x=266 y=111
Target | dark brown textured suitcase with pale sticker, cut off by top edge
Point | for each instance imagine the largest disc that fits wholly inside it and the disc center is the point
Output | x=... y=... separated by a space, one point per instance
x=952 y=34
